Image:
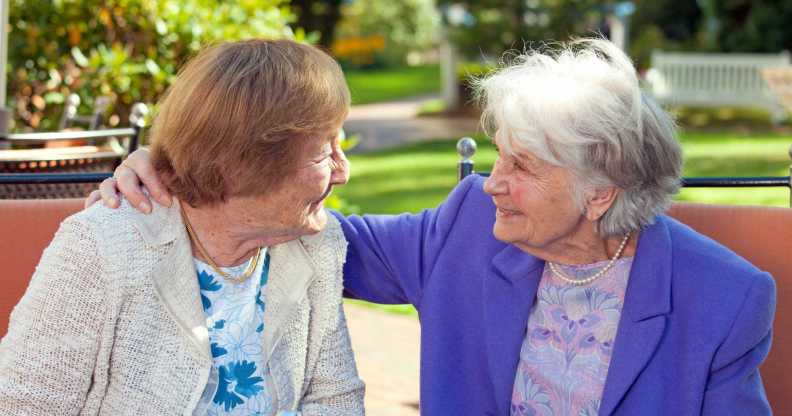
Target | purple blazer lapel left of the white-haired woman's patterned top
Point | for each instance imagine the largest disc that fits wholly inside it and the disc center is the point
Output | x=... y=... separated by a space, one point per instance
x=509 y=292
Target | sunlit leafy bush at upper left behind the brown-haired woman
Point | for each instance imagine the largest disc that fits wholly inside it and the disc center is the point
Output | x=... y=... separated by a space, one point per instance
x=129 y=50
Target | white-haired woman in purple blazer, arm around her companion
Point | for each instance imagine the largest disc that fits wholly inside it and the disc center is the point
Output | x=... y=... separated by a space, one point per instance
x=557 y=286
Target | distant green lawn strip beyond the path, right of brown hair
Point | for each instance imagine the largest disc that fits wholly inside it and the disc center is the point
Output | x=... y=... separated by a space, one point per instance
x=377 y=85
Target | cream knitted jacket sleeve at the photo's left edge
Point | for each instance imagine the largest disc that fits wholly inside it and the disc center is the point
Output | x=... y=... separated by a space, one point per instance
x=49 y=353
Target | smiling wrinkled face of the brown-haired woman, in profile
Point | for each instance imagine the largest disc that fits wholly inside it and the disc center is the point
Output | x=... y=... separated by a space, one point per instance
x=297 y=207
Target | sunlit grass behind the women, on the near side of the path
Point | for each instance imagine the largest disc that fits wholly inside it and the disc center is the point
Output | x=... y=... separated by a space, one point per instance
x=419 y=176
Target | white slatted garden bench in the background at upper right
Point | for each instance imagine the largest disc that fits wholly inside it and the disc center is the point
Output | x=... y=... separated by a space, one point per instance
x=715 y=80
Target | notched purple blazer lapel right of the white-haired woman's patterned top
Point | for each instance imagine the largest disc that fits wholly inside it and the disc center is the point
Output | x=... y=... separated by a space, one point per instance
x=646 y=302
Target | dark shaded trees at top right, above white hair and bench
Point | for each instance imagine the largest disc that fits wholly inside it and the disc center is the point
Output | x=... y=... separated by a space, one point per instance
x=483 y=29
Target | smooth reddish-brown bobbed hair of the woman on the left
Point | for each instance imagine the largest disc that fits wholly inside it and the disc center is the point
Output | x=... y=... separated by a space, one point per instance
x=239 y=116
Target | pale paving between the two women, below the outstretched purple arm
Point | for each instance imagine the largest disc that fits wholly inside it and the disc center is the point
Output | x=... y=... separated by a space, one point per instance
x=387 y=349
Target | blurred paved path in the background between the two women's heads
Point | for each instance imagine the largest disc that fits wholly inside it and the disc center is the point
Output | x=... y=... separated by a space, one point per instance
x=385 y=125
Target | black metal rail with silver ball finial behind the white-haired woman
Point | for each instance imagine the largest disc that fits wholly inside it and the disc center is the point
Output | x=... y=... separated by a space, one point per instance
x=466 y=148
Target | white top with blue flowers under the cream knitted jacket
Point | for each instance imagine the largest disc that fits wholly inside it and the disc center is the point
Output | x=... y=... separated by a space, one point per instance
x=235 y=319
